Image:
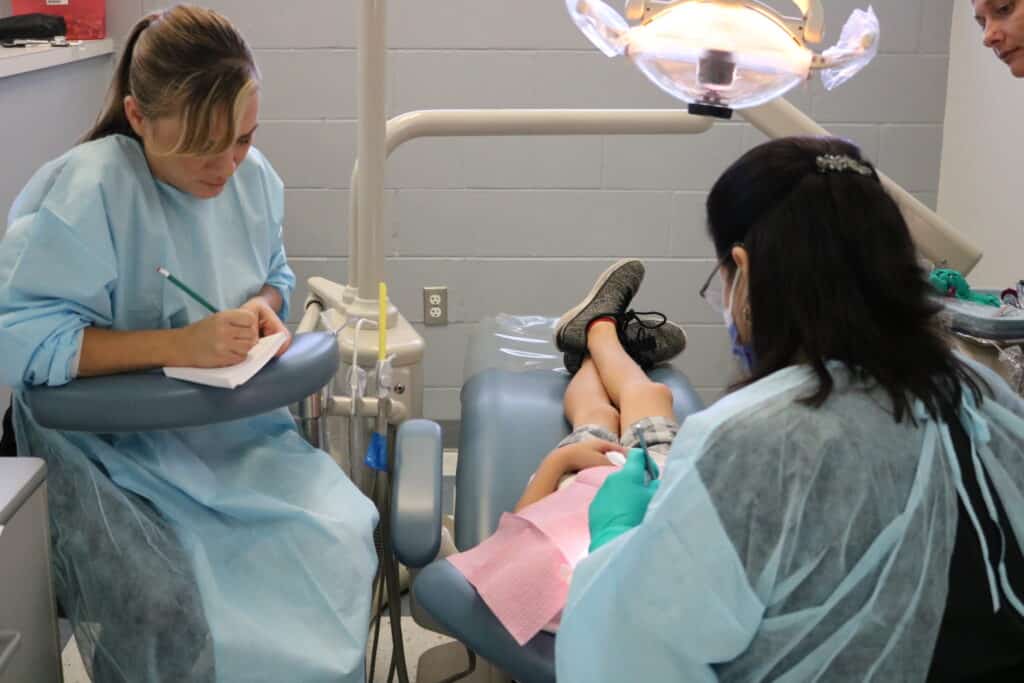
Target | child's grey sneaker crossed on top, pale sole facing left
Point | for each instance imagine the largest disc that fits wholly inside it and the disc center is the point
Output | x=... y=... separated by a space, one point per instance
x=611 y=296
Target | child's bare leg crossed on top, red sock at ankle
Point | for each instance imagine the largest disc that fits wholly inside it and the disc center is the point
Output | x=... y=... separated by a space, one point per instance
x=624 y=381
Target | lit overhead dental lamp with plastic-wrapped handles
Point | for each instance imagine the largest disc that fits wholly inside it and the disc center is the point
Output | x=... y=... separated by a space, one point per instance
x=720 y=56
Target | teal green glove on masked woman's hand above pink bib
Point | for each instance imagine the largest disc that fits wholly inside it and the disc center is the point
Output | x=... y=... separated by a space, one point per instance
x=622 y=502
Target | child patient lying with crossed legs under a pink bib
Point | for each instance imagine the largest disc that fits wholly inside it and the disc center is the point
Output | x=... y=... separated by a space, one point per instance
x=523 y=572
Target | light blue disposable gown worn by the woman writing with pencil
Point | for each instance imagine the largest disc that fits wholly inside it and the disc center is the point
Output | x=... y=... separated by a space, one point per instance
x=233 y=552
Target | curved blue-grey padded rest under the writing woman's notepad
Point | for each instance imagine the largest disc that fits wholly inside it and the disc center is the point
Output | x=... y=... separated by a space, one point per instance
x=145 y=402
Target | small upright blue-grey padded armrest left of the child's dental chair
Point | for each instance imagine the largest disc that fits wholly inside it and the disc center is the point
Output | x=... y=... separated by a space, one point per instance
x=416 y=493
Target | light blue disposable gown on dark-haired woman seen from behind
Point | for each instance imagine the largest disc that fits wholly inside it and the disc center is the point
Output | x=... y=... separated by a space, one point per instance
x=790 y=544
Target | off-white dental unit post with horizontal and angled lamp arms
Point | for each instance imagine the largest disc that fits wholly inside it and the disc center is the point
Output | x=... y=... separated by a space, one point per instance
x=339 y=307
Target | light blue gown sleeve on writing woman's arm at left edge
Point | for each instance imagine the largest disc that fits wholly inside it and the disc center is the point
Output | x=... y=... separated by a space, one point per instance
x=55 y=284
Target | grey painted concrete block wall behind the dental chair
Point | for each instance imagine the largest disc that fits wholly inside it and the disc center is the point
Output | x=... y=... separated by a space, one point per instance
x=524 y=226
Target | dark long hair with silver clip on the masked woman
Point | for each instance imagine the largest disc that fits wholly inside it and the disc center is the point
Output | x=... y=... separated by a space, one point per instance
x=834 y=276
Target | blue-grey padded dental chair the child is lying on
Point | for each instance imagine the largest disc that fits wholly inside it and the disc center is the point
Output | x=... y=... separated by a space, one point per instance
x=511 y=418
